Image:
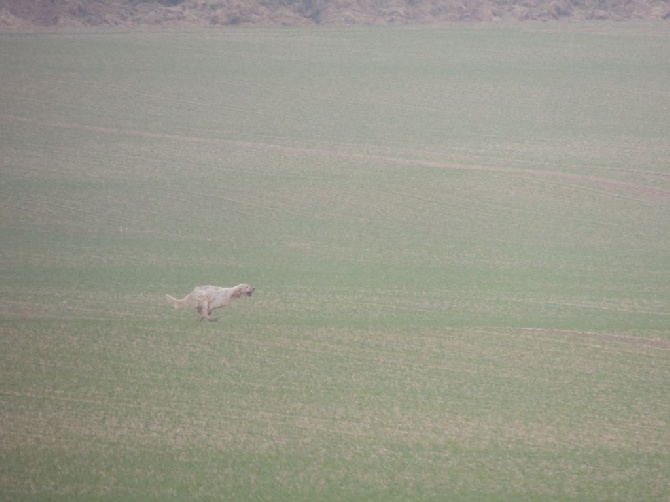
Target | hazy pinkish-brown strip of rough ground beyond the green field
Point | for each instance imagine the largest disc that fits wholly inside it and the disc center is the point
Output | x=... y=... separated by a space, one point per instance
x=71 y=13
